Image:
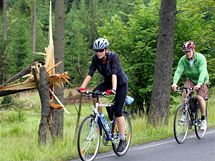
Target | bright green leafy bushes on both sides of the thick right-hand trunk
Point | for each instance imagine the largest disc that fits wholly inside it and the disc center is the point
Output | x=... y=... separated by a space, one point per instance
x=136 y=38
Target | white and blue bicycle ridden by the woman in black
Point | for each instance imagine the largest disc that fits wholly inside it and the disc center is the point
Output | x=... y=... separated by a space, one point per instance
x=91 y=129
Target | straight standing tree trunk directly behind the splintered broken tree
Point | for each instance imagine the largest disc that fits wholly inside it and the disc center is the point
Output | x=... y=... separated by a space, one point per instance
x=59 y=56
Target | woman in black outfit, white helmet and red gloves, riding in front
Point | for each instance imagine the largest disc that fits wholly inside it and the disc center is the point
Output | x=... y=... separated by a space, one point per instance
x=115 y=81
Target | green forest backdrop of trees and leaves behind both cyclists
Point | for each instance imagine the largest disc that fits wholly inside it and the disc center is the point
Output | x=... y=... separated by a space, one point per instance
x=130 y=26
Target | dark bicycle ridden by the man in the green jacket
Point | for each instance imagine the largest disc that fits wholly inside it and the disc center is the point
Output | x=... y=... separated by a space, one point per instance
x=187 y=115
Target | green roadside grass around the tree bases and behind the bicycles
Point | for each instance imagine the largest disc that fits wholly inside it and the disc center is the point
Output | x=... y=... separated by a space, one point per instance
x=19 y=133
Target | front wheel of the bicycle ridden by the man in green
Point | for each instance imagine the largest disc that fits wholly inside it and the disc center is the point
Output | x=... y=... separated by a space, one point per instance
x=180 y=126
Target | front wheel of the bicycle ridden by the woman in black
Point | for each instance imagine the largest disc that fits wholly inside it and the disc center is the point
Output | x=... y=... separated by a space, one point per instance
x=88 y=139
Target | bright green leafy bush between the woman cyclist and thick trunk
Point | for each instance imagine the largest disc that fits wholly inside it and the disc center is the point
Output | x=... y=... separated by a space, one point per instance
x=135 y=40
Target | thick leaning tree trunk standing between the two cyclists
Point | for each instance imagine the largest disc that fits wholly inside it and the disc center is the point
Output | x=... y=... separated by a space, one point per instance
x=159 y=108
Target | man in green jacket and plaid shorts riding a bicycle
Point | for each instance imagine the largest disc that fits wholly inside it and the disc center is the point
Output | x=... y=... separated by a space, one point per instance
x=194 y=66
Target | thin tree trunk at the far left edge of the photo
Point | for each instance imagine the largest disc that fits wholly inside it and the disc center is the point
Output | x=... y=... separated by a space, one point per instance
x=4 y=49
